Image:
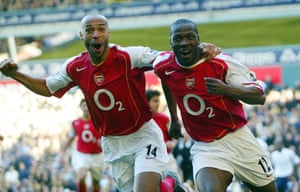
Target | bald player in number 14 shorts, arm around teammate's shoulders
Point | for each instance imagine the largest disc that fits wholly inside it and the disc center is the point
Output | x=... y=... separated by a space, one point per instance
x=112 y=80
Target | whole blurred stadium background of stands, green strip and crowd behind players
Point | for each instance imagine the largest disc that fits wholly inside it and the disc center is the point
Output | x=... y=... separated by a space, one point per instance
x=41 y=35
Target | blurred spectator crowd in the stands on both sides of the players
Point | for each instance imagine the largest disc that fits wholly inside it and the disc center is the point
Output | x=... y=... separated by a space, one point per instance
x=33 y=129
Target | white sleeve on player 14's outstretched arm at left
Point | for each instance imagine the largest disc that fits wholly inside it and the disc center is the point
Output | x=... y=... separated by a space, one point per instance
x=59 y=80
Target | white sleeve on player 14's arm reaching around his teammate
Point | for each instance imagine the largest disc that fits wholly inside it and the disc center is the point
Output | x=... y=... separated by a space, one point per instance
x=141 y=56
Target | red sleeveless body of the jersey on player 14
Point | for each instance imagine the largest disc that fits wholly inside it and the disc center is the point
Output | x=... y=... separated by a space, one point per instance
x=114 y=93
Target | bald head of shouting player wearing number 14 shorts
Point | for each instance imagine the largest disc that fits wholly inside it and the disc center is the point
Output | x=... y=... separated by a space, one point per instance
x=95 y=34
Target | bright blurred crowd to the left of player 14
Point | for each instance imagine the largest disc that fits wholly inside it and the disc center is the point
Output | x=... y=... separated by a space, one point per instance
x=33 y=129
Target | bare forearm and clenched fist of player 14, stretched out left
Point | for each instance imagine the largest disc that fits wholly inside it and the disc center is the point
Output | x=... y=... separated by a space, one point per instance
x=37 y=85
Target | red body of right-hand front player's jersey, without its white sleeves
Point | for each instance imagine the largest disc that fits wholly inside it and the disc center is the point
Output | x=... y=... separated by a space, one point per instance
x=205 y=115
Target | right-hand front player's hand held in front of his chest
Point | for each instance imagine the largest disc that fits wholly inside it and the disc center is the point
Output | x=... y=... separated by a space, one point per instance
x=215 y=86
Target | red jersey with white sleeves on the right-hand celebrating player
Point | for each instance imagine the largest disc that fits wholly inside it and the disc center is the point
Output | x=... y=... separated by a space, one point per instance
x=206 y=117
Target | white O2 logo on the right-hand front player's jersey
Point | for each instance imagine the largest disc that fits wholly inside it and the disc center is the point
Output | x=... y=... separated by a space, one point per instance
x=202 y=105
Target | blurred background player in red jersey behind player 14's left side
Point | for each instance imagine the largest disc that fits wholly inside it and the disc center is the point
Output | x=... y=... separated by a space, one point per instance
x=88 y=154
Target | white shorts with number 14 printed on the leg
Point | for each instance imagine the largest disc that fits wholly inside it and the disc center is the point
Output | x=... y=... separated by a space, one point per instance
x=129 y=155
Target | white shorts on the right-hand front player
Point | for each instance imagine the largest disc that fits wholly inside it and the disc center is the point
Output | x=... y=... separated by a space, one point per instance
x=238 y=153
